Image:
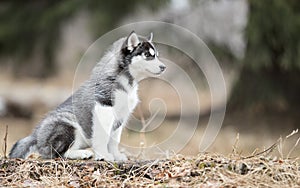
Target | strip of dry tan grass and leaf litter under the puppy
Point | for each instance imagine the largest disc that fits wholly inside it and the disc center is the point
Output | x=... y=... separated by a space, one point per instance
x=205 y=170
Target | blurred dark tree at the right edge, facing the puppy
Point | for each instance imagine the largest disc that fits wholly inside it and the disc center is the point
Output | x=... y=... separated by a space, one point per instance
x=269 y=80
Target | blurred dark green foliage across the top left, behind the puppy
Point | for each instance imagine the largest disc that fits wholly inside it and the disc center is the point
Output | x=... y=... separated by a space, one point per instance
x=26 y=25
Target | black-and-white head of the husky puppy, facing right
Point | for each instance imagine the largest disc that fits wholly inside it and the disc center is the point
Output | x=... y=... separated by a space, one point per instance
x=141 y=57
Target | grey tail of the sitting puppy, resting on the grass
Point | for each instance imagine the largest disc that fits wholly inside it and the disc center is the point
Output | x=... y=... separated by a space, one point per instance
x=23 y=147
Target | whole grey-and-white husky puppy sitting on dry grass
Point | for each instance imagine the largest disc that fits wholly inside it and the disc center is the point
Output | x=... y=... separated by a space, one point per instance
x=96 y=113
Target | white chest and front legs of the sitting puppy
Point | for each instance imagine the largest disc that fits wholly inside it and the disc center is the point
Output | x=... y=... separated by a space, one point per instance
x=105 y=138
